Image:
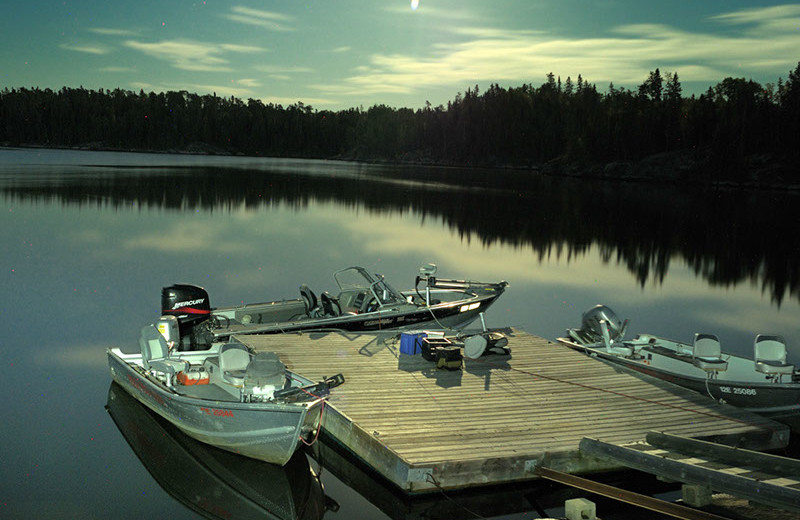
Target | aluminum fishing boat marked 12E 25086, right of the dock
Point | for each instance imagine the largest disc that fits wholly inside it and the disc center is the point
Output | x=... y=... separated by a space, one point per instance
x=766 y=384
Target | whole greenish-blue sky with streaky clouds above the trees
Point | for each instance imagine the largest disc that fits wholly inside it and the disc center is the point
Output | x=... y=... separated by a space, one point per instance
x=338 y=54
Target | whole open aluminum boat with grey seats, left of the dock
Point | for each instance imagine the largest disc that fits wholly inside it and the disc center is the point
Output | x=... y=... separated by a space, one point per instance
x=223 y=396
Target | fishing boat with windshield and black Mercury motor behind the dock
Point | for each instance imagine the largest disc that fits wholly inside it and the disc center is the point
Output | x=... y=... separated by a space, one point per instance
x=365 y=302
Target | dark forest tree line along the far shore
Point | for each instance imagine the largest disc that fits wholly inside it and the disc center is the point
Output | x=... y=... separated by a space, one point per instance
x=564 y=122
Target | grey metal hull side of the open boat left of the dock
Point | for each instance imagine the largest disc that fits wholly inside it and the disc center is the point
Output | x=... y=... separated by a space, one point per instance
x=270 y=432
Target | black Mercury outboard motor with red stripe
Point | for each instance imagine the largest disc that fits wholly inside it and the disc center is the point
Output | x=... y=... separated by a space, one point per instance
x=191 y=305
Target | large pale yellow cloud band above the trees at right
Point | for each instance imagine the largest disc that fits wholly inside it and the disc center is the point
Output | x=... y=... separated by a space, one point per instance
x=624 y=56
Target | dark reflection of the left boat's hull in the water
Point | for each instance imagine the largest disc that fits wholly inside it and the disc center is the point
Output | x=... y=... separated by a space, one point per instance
x=215 y=483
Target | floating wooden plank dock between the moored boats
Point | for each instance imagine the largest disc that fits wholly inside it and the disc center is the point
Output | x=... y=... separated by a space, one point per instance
x=500 y=417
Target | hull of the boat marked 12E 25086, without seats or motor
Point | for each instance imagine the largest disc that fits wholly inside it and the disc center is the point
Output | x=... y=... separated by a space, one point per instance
x=780 y=401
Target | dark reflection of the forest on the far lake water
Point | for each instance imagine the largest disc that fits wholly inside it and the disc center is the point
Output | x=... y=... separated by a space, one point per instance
x=726 y=236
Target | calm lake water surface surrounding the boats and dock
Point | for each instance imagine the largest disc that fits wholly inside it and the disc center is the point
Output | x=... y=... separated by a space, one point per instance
x=90 y=238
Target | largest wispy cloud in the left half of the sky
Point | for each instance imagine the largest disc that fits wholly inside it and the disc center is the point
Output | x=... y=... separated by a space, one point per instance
x=192 y=55
